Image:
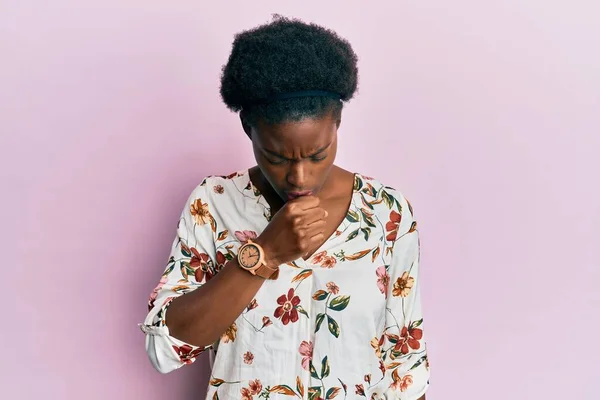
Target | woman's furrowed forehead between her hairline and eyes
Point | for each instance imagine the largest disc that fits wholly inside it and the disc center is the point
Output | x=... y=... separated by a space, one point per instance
x=293 y=137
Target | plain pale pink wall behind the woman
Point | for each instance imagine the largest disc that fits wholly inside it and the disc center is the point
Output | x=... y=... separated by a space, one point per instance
x=485 y=114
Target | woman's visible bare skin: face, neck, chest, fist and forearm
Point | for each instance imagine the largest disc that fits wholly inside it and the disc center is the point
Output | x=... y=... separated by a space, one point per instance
x=291 y=157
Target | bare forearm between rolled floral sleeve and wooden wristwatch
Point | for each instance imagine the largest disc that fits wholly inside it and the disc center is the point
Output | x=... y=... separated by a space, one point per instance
x=200 y=317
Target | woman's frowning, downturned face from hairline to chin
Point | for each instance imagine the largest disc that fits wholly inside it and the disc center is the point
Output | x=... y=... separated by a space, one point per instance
x=296 y=157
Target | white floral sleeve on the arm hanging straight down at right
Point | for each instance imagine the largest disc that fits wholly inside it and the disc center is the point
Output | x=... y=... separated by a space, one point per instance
x=402 y=345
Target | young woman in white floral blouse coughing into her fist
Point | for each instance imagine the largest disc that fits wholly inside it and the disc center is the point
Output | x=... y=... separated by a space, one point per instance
x=304 y=275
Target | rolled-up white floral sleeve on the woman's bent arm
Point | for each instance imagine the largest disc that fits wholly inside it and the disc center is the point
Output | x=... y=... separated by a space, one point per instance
x=191 y=263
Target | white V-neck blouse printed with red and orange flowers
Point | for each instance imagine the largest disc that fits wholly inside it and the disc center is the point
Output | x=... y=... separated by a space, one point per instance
x=345 y=324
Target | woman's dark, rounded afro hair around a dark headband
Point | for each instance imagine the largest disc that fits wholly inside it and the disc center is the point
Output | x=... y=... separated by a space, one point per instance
x=283 y=56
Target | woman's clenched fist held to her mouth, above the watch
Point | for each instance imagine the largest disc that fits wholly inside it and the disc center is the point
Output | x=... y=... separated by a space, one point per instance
x=297 y=228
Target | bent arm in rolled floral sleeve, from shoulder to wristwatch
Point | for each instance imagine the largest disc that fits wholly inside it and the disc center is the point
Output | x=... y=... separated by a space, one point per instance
x=196 y=318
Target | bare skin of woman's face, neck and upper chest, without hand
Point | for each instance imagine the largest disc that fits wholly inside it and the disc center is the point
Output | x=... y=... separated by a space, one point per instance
x=298 y=157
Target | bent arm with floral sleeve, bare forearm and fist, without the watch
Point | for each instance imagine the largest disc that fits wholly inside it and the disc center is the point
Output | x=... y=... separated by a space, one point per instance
x=195 y=321
